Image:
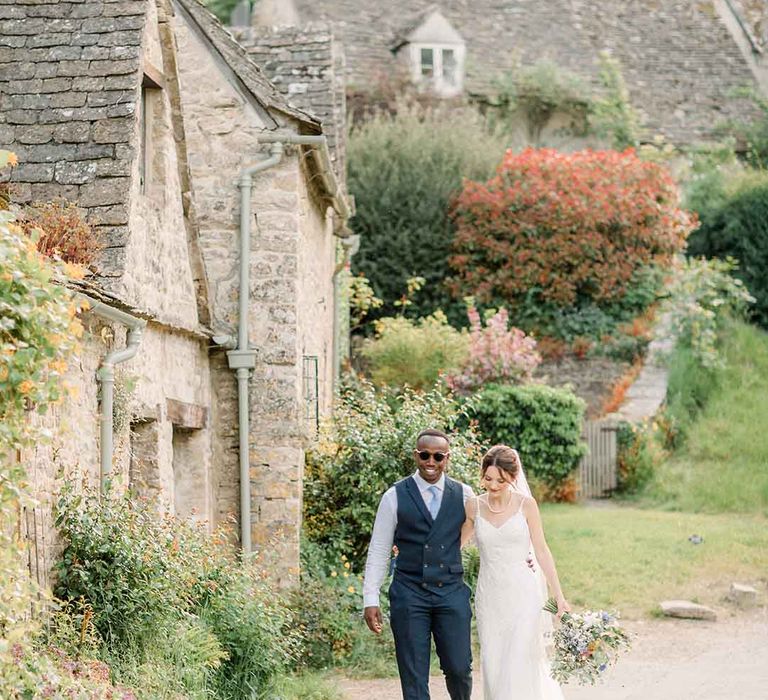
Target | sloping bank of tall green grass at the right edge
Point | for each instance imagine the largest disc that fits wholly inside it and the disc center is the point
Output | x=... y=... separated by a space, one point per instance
x=723 y=464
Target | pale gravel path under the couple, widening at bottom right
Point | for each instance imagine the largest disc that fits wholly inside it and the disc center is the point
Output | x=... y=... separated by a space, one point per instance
x=670 y=660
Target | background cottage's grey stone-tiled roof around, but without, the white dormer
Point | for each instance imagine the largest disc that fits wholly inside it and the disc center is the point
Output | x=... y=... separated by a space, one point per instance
x=680 y=62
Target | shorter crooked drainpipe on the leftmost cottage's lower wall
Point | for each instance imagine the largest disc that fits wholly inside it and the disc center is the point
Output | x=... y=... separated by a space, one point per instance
x=106 y=377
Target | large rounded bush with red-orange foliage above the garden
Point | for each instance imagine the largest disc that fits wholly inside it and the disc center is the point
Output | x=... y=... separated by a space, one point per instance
x=563 y=229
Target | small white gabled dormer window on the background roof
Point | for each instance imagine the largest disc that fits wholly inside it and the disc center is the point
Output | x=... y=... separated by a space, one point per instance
x=435 y=53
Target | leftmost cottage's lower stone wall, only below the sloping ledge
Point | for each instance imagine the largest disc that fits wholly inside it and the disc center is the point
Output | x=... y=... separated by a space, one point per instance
x=163 y=392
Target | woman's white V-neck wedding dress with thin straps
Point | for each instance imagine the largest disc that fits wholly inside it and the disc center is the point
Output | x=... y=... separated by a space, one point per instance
x=510 y=622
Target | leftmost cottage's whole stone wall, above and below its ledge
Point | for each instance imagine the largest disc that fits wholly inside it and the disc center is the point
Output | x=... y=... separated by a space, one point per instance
x=163 y=395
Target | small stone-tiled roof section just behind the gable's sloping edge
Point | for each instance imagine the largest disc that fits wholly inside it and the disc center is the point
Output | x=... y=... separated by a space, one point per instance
x=307 y=66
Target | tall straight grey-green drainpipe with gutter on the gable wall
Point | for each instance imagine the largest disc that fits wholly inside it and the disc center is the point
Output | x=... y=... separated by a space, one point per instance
x=242 y=359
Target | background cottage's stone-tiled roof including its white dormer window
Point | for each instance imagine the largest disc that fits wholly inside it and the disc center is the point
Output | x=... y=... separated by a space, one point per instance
x=682 y=60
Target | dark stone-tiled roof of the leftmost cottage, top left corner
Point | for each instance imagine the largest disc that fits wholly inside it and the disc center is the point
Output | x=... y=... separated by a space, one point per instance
x=69 y=85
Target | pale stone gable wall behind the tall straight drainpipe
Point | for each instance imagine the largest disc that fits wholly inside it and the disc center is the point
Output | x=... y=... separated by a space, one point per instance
x=221 y=124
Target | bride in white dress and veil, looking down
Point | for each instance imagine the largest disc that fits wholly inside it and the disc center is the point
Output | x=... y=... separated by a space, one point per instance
x=510 y=595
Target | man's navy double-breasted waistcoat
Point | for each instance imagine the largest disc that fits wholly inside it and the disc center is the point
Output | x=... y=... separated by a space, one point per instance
x=429 y=551
